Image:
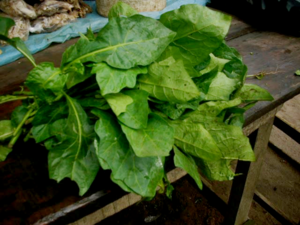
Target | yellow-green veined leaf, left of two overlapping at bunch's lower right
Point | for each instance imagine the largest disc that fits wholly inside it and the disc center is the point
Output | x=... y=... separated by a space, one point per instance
x=195 y=140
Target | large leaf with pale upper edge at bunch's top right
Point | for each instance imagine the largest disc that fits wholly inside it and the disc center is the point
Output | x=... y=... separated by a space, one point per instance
x=199 y=30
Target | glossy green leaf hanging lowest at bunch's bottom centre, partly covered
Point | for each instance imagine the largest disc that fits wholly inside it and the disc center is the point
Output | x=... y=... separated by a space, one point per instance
x=142 y=175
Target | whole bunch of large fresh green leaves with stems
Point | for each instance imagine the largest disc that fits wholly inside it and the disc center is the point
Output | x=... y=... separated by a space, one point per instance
x=141 y=91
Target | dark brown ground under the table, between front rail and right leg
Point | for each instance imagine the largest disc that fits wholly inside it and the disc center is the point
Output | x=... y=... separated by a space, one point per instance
x=187 y=206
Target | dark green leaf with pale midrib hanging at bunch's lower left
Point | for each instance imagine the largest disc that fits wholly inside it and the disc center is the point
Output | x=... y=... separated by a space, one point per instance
x=74 y=155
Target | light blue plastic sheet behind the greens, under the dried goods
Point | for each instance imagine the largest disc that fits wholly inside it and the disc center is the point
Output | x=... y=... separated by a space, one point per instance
x=38 y=42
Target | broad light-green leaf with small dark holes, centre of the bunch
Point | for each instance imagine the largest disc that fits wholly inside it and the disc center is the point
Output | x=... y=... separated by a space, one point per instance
x=169 y=82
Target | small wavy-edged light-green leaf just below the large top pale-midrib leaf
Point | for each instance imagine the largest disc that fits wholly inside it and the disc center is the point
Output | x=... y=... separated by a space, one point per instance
x=112 y=80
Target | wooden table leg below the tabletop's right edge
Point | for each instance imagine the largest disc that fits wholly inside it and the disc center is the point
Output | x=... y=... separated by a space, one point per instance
x=243 y=186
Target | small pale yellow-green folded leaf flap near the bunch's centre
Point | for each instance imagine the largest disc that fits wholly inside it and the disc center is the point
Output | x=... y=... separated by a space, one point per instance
x=118 y=102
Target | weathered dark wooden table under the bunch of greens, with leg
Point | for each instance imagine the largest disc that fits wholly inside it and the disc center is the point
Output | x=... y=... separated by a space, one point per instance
x=28 y=196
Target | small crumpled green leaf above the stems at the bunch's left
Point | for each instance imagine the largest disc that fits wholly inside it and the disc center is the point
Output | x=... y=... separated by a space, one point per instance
x=46 y=81
